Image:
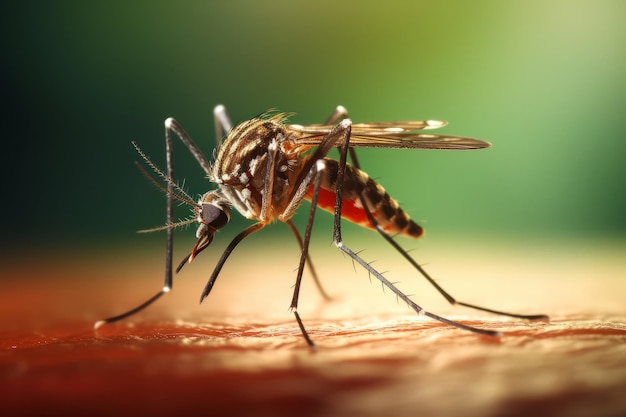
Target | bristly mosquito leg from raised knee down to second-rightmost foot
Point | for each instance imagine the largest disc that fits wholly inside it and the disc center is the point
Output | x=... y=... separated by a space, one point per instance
x=338 y=240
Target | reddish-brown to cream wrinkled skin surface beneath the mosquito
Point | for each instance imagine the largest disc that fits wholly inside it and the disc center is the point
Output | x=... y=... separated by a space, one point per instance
x=240 y=353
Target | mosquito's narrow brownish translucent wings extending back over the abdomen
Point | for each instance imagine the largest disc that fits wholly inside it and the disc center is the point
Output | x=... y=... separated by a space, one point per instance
x=402 y=135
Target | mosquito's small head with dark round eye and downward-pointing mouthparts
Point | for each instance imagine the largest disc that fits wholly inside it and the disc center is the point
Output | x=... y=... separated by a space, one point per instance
x=212 y=213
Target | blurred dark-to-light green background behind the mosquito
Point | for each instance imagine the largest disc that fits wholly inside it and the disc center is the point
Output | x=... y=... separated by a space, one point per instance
x=544 y=81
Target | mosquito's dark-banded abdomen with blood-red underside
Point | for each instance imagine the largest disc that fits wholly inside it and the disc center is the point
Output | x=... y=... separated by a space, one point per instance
x=385 y=209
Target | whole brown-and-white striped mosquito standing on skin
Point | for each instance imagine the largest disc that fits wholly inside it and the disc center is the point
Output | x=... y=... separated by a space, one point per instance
x=265 y=168
